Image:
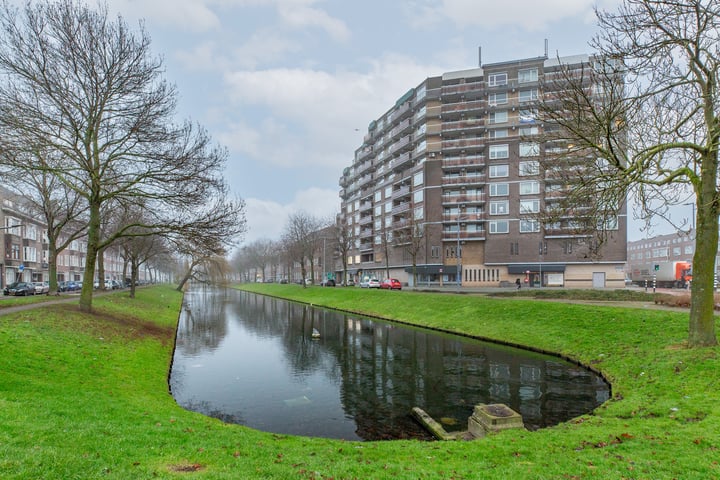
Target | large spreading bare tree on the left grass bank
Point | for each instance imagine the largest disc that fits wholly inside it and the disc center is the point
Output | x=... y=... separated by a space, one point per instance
x=87 y=87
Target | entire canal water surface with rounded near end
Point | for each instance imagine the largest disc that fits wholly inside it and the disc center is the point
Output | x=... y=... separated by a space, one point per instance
x=251 y=360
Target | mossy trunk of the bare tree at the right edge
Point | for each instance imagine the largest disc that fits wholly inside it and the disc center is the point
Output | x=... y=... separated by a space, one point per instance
x=702 y=320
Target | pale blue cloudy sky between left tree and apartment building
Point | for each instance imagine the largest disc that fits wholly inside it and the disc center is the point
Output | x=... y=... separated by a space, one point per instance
x=290 y=86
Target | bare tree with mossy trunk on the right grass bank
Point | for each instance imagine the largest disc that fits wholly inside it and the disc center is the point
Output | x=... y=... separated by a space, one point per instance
x=655 y=135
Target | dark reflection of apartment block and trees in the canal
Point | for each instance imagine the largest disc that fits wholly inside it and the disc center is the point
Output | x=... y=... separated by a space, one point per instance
x=383 y=370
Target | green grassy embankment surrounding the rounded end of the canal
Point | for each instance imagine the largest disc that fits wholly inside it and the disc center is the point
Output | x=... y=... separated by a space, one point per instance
x=85 y=396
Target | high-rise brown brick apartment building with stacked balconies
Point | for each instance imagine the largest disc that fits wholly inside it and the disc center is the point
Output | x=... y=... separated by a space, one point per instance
x=448 y=185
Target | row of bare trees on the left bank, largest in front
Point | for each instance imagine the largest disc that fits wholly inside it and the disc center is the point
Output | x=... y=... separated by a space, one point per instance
x=88 y=134
